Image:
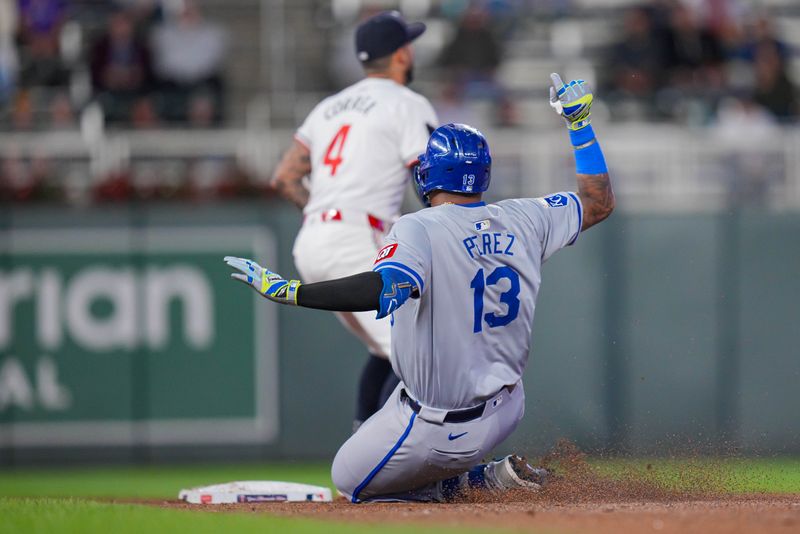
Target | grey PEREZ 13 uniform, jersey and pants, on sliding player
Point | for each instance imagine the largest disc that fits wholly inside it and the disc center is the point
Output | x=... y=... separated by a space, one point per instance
x=460 y=349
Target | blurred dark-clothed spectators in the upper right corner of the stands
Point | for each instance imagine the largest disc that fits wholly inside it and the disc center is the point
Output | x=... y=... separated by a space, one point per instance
x=693 y=62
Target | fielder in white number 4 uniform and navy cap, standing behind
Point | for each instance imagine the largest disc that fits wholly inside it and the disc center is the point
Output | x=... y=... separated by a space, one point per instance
x=357 y=147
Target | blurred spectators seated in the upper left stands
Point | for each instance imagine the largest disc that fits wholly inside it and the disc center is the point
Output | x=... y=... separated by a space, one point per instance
x=147 y=63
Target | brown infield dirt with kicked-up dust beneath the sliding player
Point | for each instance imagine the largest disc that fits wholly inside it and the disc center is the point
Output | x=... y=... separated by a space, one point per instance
x=579 y=500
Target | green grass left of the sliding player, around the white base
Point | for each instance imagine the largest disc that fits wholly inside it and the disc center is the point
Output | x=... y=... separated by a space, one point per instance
x=47 y=500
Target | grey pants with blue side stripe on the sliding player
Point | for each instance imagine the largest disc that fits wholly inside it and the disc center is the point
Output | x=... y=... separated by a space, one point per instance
x=400 y=455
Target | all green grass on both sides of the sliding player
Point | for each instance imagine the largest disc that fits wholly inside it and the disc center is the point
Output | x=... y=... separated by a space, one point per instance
x=58 y=500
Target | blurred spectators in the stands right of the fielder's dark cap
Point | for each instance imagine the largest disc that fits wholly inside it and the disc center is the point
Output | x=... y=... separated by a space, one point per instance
x=692 y=62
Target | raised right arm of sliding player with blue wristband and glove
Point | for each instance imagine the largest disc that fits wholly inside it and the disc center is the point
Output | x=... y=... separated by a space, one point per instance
x=573 y=101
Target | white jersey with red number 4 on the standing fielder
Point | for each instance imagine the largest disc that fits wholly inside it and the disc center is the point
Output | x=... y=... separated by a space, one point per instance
x=360 y=141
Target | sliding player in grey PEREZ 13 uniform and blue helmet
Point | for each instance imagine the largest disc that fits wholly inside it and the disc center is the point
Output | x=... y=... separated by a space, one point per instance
x=459 y=281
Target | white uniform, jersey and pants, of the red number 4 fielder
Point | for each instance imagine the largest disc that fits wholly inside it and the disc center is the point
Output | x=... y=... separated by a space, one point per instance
x=362 y=141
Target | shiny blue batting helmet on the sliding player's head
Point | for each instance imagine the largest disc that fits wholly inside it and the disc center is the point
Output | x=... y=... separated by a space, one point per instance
x=457 y=159
